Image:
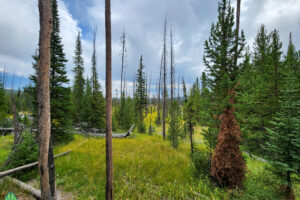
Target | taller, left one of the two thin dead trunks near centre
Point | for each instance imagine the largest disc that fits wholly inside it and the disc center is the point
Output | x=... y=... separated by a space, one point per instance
x=165 y=80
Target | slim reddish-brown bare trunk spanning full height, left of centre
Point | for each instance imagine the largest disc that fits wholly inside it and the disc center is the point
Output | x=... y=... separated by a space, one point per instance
x=108 y=116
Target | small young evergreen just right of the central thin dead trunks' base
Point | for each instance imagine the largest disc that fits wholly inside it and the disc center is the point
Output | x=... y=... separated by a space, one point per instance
x=175 y=133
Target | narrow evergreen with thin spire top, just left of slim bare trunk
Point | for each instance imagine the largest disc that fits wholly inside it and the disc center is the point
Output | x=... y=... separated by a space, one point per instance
x=97 y=118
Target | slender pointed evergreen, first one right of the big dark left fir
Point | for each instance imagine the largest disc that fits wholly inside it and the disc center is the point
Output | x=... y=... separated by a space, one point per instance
x=78 y=86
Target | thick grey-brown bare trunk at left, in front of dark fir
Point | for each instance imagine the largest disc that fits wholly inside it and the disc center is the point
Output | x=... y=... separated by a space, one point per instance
x=43 y=97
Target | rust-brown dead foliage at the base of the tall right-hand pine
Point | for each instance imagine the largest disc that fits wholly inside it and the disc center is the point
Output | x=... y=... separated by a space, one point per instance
x=227 y=165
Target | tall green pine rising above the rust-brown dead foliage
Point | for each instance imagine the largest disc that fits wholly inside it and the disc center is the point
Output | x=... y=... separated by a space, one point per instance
x=220 y=52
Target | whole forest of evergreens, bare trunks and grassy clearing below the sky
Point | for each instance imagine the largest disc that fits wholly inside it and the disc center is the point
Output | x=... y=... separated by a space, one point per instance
x=234 y=133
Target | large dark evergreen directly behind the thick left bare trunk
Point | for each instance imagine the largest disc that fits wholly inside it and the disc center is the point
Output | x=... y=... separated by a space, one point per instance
x=60 y=95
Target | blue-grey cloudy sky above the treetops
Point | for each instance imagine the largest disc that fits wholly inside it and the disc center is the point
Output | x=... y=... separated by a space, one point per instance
x=143 y=22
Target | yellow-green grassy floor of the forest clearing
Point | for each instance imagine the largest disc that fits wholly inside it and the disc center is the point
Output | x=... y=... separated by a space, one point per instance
x=145 y=167
